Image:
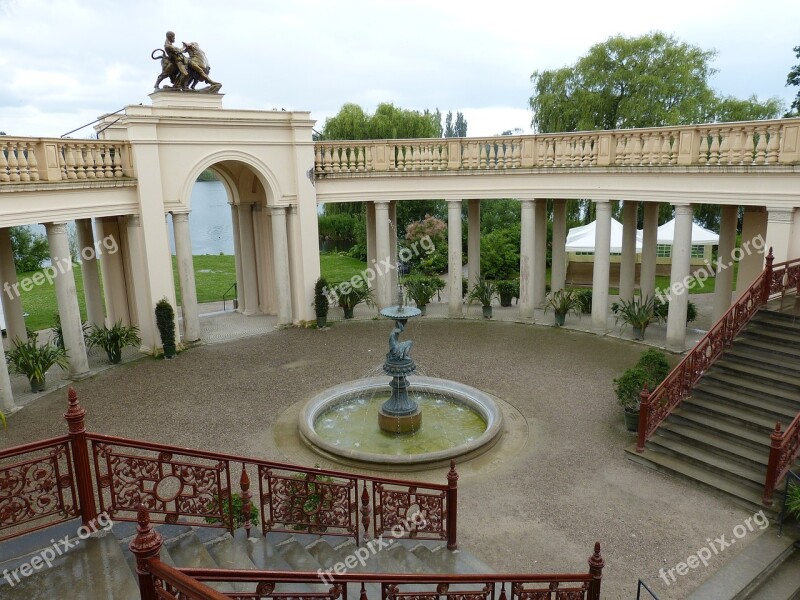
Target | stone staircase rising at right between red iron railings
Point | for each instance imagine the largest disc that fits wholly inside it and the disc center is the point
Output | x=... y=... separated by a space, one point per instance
x=719 y=437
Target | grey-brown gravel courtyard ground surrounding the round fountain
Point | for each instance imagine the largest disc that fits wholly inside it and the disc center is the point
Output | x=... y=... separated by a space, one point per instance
x=535 y=503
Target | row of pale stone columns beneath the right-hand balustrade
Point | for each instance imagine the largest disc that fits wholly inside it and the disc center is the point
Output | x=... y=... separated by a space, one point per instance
x=778 y=227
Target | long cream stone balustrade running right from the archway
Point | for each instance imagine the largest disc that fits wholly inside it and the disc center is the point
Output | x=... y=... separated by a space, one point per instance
x=775 y=142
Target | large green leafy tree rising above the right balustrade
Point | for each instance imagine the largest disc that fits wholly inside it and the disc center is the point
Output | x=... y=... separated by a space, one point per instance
x=648 y=81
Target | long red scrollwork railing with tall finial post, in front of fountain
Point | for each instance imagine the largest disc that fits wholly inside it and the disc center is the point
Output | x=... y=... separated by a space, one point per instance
x=194 y=487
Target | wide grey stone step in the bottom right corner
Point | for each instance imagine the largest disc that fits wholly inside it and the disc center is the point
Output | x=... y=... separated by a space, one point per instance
x=741 y=576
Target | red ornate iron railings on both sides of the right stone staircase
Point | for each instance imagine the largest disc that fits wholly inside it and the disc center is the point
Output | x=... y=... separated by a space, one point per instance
x=658 y=404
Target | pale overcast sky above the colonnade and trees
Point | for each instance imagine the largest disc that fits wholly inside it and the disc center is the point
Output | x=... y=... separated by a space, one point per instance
x=63 y=63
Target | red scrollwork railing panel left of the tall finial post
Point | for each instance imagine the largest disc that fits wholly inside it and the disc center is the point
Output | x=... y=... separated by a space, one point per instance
x=37 y=487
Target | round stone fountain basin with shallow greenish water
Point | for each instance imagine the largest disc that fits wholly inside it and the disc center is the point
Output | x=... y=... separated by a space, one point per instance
x=398 y=452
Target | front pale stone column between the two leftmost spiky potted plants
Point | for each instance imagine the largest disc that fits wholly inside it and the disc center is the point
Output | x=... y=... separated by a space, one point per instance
x=67 y=298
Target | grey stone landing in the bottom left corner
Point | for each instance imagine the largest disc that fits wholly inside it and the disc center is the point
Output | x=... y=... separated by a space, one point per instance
x=96 y=568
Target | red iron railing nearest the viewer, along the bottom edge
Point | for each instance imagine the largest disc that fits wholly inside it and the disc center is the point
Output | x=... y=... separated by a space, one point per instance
x=158 y=580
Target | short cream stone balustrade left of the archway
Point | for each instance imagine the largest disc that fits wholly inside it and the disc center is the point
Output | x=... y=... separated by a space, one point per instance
x=24 y=160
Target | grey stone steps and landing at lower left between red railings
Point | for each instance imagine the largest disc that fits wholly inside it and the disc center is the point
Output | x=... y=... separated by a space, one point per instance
x=103 y=567
